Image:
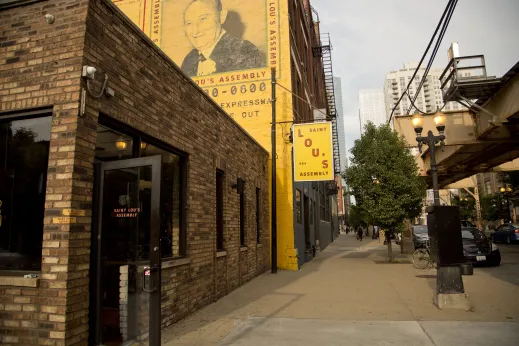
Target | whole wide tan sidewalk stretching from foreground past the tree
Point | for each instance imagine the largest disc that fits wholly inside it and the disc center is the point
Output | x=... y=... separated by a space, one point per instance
x=344 y=297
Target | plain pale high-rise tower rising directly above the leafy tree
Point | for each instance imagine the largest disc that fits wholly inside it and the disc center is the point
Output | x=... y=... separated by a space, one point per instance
x=371 y=107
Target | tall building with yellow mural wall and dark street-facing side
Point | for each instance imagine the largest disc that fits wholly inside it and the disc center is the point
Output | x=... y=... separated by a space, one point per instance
x=279 y=34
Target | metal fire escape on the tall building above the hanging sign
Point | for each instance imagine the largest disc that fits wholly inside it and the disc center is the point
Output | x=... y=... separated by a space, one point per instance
x=324 y=51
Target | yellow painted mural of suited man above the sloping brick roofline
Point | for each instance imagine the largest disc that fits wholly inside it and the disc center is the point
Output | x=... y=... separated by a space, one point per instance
x=226 y=46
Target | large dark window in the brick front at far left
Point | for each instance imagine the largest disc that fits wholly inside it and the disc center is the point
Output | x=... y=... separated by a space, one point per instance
x=24 y=155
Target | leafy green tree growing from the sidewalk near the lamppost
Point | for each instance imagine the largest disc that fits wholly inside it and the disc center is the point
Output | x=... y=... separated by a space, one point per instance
x=384 y=179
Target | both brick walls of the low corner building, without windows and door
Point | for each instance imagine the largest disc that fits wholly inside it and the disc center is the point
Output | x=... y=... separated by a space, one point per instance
x=40 y=66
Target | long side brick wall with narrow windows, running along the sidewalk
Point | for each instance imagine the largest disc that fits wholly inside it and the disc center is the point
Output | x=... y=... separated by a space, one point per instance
x=155 y=98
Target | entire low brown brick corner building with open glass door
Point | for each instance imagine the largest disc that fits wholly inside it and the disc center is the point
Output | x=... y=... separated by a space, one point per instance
x=126 y=183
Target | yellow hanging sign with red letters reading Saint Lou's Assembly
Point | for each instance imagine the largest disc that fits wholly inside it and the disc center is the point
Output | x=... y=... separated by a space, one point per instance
x=313 y=152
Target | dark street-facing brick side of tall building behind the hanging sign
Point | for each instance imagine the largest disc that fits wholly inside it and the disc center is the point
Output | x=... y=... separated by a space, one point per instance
x=313 y=99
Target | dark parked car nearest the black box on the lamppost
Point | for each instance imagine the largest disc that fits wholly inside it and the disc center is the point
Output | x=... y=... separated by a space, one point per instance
x=478 y=249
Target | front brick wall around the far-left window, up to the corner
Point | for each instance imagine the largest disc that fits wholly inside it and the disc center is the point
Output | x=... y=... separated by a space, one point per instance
x=40 y=67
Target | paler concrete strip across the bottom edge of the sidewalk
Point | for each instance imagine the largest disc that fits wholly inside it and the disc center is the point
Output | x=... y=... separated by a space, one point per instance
x=259 y=331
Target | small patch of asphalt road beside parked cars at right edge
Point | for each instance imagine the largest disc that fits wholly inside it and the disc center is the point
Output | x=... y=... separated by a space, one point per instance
x=509 y=269
